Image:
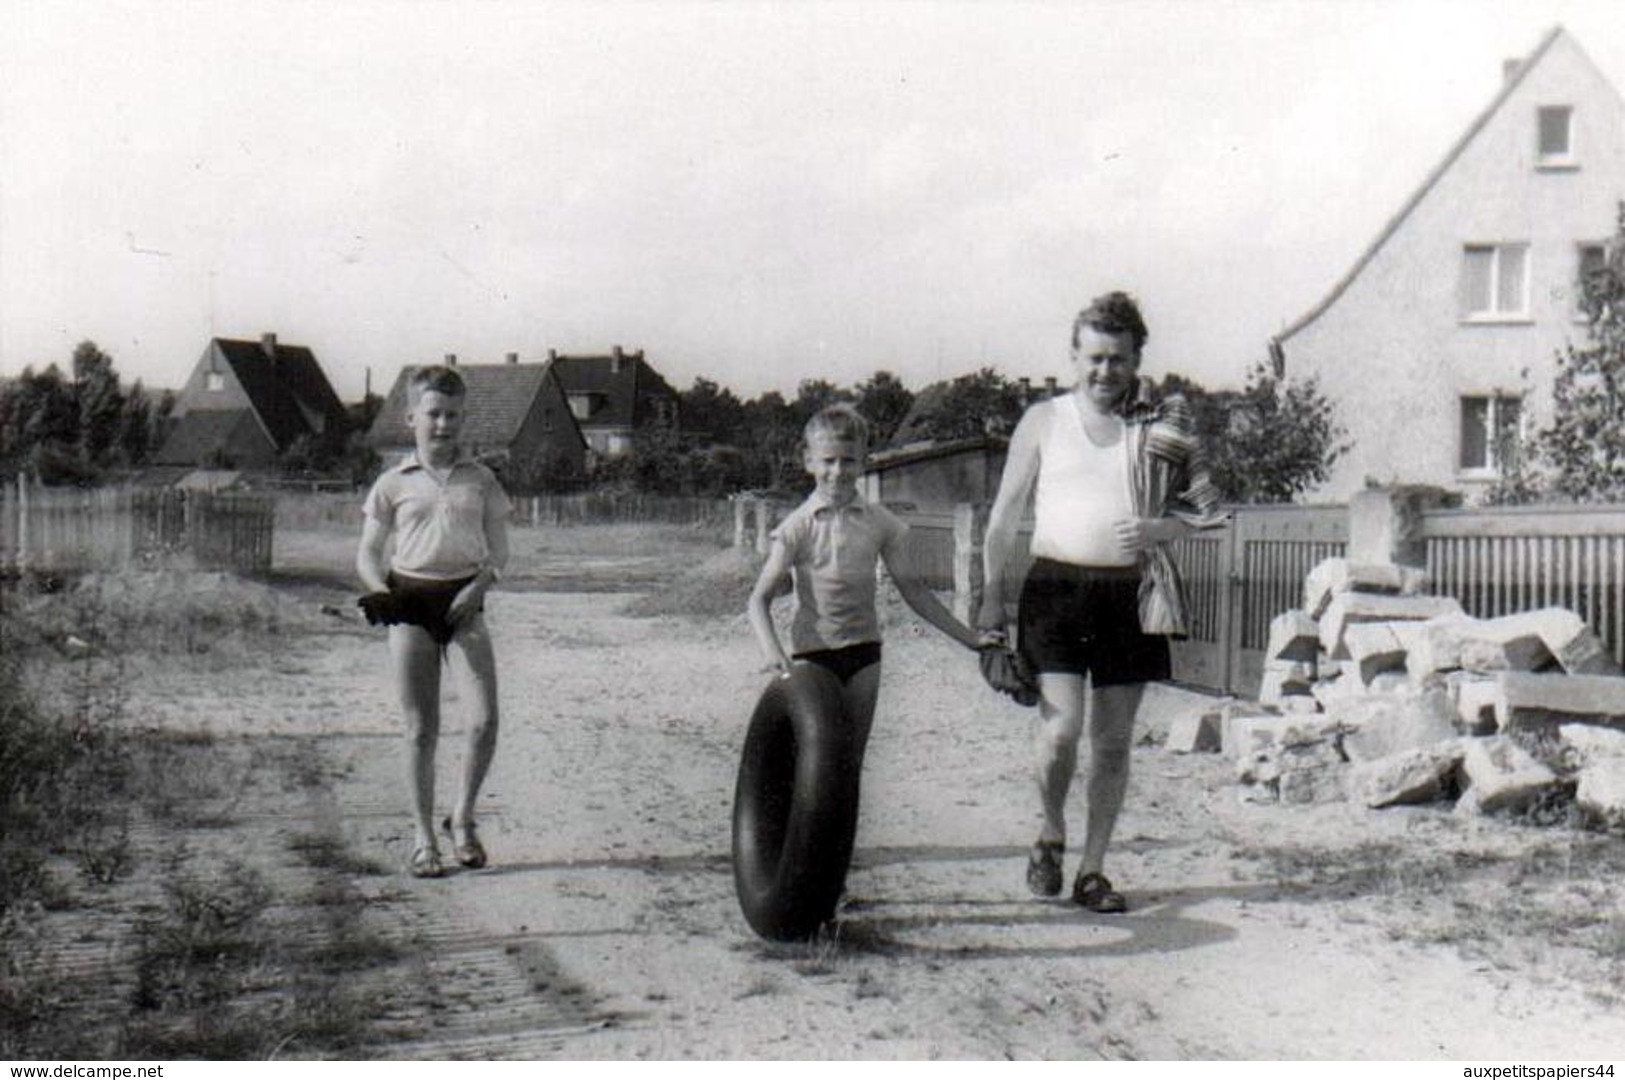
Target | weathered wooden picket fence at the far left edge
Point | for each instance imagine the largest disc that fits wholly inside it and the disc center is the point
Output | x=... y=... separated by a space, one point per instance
x=72 y=530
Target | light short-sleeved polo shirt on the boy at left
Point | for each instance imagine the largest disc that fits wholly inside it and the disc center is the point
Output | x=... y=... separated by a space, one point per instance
x=440 y=525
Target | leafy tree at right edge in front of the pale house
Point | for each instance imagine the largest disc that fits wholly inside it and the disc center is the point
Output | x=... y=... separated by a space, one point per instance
x=1580 y=457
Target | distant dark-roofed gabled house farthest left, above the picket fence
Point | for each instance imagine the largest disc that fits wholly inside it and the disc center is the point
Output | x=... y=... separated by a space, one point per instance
x=248 y=402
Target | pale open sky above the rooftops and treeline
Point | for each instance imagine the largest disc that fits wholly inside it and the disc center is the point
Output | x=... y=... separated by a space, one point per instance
x=753 y=194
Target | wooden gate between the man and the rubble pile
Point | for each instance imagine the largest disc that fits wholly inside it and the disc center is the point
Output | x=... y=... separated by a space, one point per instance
x=1239 y=579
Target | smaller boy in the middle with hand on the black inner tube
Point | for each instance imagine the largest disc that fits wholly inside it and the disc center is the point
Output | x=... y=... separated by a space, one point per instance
x=828 y=551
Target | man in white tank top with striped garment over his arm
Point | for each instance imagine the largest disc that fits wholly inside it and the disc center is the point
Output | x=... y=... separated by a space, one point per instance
x=1116 y=482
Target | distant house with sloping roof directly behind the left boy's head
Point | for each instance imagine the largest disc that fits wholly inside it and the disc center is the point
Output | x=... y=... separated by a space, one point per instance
x=518 y=421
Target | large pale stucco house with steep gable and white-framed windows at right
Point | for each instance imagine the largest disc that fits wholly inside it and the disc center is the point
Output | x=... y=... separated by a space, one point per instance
x=1439 y=345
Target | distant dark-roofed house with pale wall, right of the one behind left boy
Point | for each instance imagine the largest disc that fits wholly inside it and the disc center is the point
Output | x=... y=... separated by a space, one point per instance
x=615 y=399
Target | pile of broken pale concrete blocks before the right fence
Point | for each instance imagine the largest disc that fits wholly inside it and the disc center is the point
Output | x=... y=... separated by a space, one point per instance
x=1380 y=693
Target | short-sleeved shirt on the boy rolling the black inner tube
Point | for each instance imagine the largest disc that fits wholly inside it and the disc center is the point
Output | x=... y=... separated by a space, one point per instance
x=834 y=553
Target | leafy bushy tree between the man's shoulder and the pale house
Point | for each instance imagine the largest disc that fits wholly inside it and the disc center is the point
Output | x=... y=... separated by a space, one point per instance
x=1268 y=443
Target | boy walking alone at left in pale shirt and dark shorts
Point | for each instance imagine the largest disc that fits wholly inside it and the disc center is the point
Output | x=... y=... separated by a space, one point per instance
x=448 y=517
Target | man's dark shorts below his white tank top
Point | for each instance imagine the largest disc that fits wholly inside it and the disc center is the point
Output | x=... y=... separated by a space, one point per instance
x=1086 y=621
